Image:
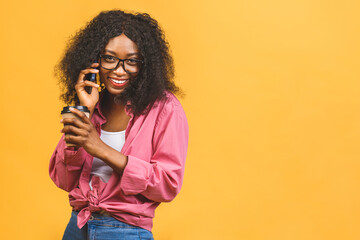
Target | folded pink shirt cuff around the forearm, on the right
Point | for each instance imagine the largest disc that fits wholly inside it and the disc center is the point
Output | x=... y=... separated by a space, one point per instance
x=135 y=176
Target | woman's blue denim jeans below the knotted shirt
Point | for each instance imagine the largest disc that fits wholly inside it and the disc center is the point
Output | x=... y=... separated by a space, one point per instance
x=101 y=227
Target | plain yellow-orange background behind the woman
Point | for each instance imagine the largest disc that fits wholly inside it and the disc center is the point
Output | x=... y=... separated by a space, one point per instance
x=272 y=102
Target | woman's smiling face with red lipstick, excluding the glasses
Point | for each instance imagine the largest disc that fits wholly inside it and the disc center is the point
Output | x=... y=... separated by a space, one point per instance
x=117 y=80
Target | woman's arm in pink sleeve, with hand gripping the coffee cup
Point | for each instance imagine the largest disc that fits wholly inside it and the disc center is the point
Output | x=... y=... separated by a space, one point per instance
x=160 y=179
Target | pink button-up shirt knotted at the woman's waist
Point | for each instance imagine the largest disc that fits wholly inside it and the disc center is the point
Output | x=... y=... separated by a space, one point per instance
x=156 y=145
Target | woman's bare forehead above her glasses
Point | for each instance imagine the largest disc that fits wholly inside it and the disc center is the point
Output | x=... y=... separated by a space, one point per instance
x=121 y=45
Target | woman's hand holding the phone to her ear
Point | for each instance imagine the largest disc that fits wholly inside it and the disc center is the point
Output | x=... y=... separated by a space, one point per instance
x=88 y=100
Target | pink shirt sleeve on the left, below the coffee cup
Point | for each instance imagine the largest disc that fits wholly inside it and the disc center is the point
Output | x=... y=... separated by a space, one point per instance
x=66 y=165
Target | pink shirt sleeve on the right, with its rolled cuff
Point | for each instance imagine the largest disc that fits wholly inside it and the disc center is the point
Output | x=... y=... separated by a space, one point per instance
x=160 y=179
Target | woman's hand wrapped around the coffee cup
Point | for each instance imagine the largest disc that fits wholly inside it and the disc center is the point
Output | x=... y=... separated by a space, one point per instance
x=82 y=132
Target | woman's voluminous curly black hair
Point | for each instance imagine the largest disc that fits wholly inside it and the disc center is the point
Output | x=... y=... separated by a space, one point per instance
x=156 y=75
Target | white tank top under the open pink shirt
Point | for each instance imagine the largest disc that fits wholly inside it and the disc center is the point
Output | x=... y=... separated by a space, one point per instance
x=99 y=168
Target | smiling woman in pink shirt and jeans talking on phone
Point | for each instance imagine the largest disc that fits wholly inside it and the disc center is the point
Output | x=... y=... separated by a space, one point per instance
x=129 y=155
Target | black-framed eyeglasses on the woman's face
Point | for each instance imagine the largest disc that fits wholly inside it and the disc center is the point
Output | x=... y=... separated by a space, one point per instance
x=130 y=65
